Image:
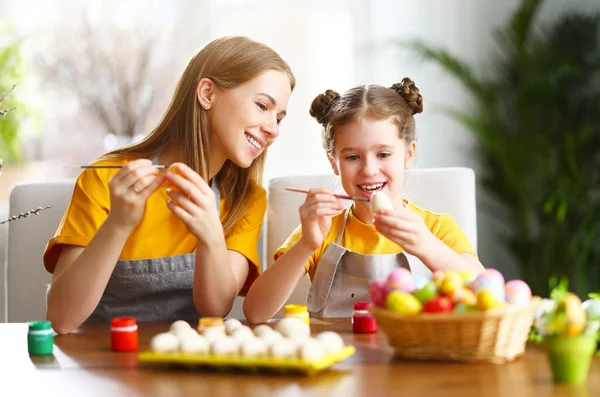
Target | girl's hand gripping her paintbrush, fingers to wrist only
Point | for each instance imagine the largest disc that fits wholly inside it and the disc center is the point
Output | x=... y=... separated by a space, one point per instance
x=315 y=214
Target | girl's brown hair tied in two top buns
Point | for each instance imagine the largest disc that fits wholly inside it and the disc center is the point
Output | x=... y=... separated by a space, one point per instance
x=399 y=103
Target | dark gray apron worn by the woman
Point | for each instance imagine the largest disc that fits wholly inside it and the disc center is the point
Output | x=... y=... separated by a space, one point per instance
x=157 y=289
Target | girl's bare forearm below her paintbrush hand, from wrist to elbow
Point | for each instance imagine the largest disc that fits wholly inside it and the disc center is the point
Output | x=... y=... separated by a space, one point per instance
x=274 y=287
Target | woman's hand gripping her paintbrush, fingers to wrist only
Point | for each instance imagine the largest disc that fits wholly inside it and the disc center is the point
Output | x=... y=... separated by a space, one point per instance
x=129 y=189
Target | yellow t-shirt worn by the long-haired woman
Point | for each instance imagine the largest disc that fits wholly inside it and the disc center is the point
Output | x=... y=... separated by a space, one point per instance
x=159 y=234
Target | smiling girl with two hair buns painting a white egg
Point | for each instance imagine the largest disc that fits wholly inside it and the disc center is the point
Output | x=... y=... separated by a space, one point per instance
x=369 y=137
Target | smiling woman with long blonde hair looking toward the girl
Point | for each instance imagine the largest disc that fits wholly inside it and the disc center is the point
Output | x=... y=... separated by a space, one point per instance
x=177 y=245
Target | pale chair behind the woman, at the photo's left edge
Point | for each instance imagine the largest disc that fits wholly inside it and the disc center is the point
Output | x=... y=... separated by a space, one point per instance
x=23 y=277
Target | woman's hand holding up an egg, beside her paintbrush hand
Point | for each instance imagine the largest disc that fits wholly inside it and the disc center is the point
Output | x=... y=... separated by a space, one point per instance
x=193 y=201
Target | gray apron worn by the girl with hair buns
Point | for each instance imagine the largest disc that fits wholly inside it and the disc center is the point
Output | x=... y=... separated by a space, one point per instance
x=343 y=277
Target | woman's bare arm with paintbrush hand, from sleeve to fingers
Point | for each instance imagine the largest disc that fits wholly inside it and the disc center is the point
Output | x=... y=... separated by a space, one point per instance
x=82 y=273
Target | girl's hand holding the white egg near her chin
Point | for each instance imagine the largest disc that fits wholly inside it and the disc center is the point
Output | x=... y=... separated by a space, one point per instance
x=406 y=229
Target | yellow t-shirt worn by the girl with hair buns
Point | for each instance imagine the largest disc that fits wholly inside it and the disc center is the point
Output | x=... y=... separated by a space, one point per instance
x=365 y=239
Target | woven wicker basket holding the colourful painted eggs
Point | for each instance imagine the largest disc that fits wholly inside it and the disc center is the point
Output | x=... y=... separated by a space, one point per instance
x=494 y=336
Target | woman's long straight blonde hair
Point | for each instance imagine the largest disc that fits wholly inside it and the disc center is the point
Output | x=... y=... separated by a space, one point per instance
x=228 y=62
